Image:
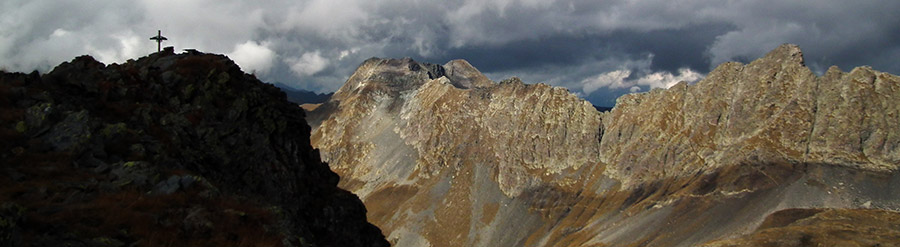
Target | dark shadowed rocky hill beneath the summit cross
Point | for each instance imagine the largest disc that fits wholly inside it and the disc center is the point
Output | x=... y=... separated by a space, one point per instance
x=168 y=150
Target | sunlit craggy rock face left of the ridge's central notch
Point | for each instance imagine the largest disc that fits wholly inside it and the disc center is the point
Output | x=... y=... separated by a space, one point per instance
x=517 y=128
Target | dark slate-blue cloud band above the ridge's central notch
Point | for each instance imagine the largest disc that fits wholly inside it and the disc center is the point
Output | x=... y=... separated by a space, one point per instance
x=671 y=49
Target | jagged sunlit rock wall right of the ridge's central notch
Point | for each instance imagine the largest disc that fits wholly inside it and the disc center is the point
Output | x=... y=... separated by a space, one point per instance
x=773 y=109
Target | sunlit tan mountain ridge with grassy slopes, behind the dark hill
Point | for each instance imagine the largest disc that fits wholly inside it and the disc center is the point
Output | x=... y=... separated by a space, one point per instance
x=758 y=154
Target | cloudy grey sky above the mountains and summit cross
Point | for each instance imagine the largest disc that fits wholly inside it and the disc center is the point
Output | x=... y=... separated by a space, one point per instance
x=597 y=49
